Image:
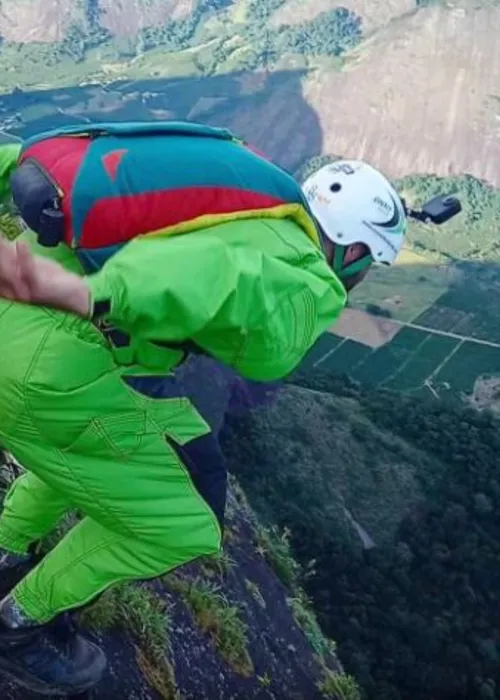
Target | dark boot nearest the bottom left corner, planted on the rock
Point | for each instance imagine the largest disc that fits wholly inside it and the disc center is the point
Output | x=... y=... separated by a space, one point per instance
x=51 y=659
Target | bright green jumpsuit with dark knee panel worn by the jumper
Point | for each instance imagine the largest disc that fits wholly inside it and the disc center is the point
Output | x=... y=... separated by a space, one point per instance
x=255 y=293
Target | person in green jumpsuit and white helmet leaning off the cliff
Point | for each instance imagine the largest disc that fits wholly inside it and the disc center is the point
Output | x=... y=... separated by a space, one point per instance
x=145 y=471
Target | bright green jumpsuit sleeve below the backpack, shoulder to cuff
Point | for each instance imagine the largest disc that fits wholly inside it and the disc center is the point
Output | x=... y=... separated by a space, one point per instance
x=248 y=309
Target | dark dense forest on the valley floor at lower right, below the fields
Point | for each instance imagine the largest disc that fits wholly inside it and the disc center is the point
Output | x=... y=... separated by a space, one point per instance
x=417 y=619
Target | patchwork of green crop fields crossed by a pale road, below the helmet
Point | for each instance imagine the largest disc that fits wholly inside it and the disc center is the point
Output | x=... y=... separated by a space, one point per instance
x=453 y=336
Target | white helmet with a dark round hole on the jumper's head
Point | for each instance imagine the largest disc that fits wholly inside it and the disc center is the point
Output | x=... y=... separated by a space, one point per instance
x=354 y=203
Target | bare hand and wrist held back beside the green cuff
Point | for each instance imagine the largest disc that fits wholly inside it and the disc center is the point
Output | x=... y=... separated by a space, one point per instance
x=33 y=279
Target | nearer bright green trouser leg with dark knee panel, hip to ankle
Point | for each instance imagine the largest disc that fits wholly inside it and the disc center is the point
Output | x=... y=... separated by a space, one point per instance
x=146 y=473
